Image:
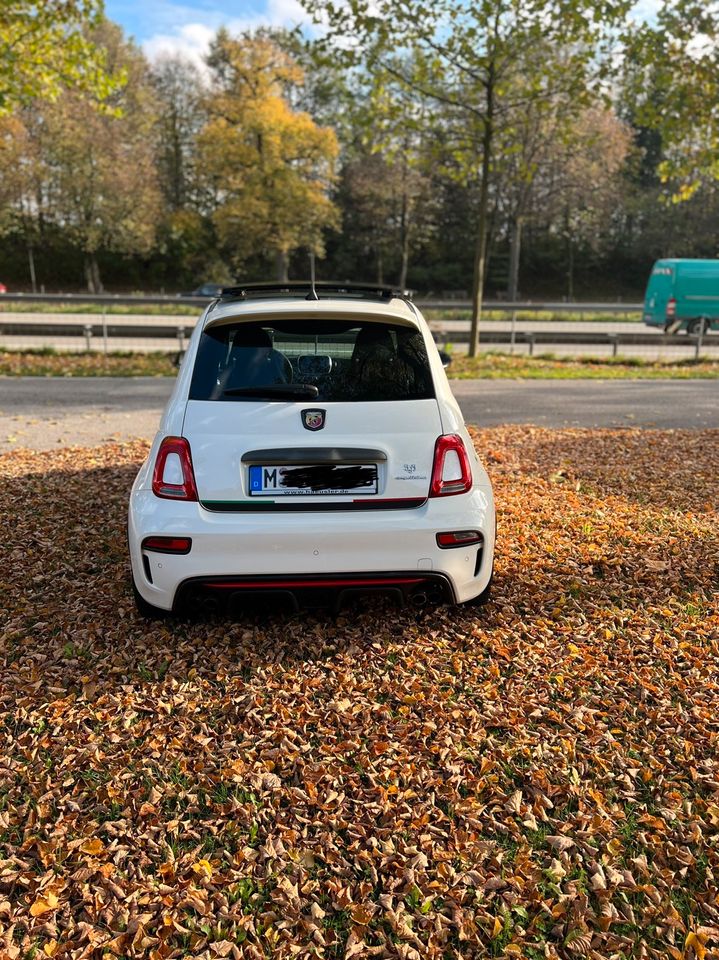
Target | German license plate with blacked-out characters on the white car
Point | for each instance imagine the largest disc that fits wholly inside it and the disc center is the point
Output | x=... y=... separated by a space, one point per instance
x=326 y=479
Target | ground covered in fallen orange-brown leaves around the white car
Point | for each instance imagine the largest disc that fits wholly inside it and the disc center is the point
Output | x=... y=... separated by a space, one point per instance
x=539 y=778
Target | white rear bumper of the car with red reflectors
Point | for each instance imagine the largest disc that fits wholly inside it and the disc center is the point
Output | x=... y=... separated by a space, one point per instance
x=312 y=551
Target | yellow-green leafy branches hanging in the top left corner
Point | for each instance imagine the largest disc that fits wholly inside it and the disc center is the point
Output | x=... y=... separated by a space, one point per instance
x=45 y=48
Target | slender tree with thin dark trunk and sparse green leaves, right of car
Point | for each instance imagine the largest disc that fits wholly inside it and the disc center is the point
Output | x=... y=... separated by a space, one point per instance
x=479 y=63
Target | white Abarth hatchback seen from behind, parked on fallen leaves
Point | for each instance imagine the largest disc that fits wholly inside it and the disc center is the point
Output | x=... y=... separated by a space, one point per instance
x=311 y=450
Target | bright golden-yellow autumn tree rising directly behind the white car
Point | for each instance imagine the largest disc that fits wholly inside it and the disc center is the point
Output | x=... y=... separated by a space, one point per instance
x=269 y=167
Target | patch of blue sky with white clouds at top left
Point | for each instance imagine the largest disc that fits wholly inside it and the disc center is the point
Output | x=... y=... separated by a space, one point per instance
x=163 y=26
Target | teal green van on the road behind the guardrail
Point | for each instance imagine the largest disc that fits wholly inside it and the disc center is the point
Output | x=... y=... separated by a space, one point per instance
x=683 y=294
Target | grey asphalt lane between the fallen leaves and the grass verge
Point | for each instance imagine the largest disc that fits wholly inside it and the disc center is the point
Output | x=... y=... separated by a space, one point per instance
x=44 y=413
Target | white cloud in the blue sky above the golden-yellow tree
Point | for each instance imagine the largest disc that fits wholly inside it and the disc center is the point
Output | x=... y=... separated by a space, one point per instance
x=192 y=39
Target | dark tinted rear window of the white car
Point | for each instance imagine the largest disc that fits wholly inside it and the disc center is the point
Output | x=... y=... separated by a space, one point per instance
x=342 y=360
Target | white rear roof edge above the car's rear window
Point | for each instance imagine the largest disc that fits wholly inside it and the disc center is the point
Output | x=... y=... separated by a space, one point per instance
x=396 y=310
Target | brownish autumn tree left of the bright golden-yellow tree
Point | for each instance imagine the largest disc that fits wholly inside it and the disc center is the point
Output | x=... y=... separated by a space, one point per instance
x=102 y=164
